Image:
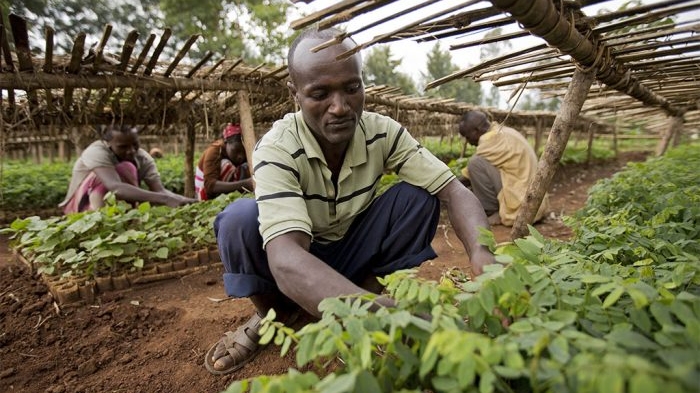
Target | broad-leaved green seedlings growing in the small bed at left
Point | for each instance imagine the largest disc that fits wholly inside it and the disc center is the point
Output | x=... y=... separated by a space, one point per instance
x=116 y=237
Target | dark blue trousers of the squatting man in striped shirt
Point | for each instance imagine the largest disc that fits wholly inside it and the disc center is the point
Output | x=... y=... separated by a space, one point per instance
x=394 y=233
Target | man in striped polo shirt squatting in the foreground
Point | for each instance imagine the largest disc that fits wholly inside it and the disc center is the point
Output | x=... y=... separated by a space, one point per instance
x=317 y=227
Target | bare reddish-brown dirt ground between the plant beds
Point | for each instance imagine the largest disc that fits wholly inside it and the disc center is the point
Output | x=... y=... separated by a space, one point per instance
x=153 y=338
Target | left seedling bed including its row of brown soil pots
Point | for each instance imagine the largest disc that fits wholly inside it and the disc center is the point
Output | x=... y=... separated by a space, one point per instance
x=80 y=256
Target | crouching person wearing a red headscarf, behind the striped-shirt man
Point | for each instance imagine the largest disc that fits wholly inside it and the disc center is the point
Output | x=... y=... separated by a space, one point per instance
x=223 y=167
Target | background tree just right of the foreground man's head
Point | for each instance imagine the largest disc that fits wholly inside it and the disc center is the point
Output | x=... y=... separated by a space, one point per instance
x=381 y=69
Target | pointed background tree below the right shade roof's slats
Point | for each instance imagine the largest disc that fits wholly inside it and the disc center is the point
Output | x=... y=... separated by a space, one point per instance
x=440 y=64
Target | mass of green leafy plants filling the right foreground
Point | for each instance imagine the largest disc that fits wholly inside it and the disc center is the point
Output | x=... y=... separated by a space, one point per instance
x=578 y=320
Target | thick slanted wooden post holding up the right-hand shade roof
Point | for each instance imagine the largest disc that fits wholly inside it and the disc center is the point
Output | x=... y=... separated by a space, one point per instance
x=556 y=143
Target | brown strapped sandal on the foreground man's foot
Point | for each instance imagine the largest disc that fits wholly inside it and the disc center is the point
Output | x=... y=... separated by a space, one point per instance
x=242 y=346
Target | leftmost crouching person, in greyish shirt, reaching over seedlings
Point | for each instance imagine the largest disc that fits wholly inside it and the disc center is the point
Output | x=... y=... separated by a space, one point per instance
x=116 y=163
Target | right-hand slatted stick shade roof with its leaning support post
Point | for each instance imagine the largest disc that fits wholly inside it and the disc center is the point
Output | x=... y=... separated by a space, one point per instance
x=630 y=73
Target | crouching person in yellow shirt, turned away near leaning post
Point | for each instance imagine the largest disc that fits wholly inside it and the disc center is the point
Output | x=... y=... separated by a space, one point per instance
x=501 y=169
